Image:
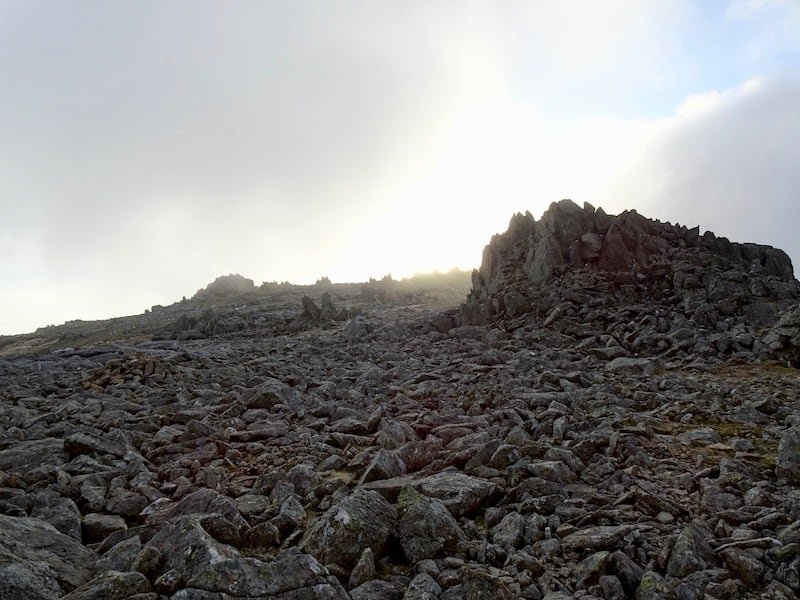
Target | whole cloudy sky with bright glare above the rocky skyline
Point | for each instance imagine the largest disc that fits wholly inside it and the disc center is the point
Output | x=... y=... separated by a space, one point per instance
x=147 y=147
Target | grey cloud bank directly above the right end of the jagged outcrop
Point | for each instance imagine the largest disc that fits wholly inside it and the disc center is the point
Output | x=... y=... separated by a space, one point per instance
x=727 y=161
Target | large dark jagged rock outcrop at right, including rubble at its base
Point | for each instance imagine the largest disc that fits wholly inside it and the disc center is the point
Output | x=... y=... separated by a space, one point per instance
x=637 y=280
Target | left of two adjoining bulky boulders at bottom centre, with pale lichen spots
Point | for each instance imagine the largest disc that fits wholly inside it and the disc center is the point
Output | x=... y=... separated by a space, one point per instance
x=364 y=519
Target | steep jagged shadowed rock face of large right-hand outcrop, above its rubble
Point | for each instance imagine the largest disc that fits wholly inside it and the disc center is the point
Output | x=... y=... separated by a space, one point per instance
x=588 y=251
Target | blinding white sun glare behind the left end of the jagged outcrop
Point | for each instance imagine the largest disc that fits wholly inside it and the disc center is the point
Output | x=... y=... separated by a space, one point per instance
x=497 y=160
